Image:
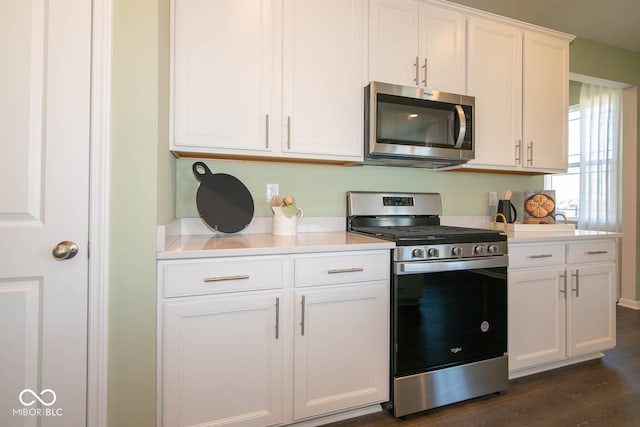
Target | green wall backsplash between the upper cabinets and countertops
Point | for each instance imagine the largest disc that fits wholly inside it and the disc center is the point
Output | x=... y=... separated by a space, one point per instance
x=320 y=190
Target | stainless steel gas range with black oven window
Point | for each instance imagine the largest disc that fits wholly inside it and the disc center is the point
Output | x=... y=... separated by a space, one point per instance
x=448 y=301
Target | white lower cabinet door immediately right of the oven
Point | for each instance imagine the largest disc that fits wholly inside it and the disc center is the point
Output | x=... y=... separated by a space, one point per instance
x=536 y=317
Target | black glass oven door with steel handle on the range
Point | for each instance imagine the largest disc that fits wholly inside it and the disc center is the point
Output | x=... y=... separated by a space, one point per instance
x=448 y=313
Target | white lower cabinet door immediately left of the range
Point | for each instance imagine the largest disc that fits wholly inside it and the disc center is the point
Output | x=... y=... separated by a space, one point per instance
x=341 y=348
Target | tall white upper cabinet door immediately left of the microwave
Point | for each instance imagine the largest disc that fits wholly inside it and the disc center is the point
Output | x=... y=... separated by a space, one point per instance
x=324 y=77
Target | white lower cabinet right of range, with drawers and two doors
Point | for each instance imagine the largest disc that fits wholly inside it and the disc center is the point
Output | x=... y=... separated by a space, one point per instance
x=562 y=299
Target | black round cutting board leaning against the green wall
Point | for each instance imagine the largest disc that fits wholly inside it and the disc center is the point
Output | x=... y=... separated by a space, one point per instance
x=222 y=200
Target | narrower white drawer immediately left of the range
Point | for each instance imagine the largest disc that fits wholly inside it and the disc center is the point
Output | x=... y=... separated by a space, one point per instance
x=341 y=268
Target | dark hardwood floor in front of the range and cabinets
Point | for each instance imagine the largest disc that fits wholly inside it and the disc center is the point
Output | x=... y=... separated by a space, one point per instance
x=603 y=392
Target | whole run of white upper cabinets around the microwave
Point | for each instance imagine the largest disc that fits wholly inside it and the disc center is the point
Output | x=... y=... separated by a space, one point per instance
x=284 y=79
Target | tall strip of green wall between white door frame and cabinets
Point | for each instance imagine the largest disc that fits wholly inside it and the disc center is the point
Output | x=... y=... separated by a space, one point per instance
x=139 y=168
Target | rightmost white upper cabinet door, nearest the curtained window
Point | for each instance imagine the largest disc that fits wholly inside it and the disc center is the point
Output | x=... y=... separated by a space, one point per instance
x=546 y=102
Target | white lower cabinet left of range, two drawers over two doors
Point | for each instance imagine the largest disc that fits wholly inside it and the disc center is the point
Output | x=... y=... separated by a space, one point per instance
x=270 y=340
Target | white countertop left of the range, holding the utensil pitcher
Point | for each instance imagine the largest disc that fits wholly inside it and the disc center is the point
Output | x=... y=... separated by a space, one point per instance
x=208 y=246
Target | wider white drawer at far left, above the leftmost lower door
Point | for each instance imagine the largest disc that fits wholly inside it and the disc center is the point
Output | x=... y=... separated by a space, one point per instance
x=218 y=276
